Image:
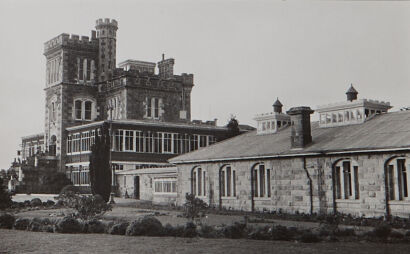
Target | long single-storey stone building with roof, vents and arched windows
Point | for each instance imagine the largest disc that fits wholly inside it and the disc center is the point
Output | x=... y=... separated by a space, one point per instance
x=353 y=161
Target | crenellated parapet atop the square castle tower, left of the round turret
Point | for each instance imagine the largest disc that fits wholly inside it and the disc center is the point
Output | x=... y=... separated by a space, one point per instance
x=69 y=39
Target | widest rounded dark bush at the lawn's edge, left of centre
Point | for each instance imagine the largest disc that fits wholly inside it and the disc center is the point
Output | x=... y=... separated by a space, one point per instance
x=146 y=226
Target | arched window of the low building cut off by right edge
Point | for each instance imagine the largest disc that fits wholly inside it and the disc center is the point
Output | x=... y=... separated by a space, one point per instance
x=398 y=178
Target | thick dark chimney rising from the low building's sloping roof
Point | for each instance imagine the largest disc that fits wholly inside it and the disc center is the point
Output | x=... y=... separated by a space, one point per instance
x=301 y=134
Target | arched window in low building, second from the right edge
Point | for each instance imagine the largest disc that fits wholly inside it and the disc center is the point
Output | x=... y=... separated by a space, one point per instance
x=347 y=179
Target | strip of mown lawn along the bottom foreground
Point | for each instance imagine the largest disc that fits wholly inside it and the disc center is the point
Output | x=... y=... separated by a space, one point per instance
x=14 y=241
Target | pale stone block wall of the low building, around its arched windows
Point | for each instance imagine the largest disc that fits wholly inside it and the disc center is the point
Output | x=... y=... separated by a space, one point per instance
x=290 y=186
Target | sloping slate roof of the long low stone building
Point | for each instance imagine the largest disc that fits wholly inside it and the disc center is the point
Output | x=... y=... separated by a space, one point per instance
x=385 y=131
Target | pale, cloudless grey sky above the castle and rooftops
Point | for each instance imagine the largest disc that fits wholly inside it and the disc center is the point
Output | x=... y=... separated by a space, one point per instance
x=243 y=54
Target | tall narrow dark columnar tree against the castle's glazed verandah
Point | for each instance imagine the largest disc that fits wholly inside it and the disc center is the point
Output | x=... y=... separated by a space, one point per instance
x=100 y=171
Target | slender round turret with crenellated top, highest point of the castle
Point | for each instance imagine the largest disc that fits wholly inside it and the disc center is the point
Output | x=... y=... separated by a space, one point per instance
x=106 y=35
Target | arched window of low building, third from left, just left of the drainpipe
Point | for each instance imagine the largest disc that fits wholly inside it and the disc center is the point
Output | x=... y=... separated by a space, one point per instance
x=261 y=181
